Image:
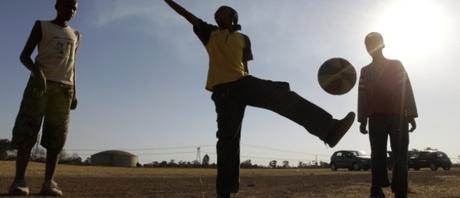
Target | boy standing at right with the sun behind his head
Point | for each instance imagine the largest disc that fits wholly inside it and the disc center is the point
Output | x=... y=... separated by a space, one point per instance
x=386 y=101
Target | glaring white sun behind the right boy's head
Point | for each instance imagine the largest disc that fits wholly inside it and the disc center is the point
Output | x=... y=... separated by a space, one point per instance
x=413 y=28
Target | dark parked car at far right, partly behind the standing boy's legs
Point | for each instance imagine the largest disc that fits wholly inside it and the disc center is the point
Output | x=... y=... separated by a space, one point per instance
x=425 y=159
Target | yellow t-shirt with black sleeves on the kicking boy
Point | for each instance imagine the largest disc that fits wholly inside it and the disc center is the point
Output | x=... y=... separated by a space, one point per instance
x=227 y=51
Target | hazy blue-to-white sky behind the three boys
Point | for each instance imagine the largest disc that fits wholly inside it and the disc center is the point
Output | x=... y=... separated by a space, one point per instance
x=141 y=72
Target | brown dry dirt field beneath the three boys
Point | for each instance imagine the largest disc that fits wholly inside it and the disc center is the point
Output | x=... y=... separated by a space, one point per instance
x=87 y=181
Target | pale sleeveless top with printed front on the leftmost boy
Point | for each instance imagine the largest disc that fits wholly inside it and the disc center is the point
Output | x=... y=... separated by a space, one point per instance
x=56 y=52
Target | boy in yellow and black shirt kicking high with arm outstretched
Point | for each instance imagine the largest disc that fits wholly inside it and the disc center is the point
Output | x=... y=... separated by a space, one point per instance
x=233 y=89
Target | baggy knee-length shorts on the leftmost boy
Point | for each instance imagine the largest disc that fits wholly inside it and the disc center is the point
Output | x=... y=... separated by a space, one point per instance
x=51 y=108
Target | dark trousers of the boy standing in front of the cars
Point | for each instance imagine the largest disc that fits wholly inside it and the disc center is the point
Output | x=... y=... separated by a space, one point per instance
x=381 y=127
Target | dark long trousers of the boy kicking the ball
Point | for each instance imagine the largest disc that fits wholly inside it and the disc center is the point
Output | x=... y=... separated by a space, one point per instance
x=231 y=100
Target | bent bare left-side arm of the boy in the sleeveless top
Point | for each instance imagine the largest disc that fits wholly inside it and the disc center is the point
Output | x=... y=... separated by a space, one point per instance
x=25 y=57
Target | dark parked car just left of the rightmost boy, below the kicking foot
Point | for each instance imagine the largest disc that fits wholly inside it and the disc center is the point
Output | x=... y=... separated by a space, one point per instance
x=353 y=160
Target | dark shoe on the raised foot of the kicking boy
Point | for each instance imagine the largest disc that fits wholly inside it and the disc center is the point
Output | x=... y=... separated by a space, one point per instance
x=339 y=130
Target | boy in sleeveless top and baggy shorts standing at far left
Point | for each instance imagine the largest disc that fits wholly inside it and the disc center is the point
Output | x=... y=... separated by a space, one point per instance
x=49 y=95
